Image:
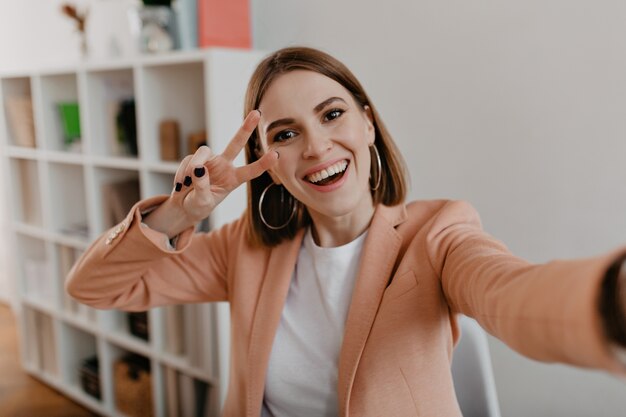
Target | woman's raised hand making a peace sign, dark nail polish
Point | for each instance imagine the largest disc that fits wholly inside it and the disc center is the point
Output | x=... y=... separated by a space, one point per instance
x=204 y=179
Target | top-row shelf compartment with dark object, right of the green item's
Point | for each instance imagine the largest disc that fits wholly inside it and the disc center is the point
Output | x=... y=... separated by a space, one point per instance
x=111 y=97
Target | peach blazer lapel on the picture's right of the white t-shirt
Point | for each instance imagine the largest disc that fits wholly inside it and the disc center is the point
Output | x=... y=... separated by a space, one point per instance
x=377 y=260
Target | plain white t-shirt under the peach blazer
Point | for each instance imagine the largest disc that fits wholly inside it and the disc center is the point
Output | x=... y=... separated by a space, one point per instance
x=302 y=375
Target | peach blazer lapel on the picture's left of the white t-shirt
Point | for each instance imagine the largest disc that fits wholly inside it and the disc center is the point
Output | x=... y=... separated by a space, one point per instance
x=274 y=291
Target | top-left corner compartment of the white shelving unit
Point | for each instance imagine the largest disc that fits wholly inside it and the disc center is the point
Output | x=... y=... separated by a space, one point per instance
x=19 y=116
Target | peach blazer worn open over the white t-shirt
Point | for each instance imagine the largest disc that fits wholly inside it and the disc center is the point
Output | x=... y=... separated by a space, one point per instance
x=421 y=264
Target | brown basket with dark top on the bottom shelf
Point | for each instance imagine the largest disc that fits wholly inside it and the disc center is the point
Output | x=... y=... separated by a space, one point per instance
x=133 y=387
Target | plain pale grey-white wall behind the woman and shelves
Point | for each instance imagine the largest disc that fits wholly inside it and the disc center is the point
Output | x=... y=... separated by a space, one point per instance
x=517 y=107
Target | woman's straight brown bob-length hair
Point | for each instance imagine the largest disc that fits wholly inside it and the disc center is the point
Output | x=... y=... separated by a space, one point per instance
x=277 y=204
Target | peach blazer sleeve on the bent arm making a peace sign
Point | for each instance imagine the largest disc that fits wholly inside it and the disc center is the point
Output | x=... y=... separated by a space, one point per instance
x=131 y=268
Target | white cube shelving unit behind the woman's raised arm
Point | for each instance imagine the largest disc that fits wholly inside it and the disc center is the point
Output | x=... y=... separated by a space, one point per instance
x=57 y=205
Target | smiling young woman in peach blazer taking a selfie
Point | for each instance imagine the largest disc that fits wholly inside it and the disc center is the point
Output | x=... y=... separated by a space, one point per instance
x=343 y=298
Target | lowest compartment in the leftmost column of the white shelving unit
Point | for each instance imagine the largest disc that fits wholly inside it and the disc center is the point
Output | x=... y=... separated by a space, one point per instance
x=40 y=342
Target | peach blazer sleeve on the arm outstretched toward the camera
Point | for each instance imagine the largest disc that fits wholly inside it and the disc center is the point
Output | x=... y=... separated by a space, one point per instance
x=548 y=312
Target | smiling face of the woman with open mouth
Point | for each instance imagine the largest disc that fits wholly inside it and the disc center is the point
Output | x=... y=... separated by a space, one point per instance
x=322 y=136
